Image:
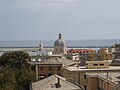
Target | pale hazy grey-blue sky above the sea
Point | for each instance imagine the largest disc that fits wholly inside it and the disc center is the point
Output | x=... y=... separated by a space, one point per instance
x=44 y=19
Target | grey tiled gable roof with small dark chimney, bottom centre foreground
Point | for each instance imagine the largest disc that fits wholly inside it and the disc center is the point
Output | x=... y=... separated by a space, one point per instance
x=50 y=84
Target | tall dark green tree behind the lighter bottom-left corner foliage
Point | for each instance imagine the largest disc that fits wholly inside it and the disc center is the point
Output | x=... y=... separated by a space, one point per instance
x=18 y=62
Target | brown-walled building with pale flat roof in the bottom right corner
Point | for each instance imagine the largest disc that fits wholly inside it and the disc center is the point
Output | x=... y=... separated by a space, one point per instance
x=103 y=81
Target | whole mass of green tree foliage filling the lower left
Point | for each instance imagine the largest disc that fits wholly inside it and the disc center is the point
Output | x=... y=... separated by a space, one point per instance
x=19 y=70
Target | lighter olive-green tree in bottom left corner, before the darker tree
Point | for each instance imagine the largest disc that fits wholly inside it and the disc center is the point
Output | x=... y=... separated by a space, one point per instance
x=7 y=79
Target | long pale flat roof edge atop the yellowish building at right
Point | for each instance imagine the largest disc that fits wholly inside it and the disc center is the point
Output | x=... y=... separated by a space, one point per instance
x=83 y=68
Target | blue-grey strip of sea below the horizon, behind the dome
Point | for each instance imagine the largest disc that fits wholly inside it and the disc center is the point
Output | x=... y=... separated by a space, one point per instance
x=69 y=43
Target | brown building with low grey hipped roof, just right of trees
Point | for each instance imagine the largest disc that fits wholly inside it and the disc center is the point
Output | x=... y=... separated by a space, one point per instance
x=47 y=68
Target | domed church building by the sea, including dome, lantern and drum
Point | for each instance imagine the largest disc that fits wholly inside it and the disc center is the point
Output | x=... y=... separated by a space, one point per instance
x=60 y=46
